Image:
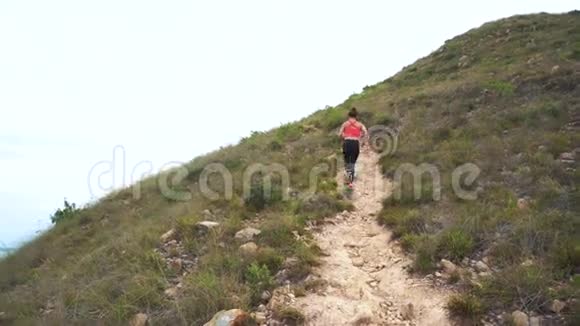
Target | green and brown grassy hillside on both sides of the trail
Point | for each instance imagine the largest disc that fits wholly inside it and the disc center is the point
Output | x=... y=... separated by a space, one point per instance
x=504 y=97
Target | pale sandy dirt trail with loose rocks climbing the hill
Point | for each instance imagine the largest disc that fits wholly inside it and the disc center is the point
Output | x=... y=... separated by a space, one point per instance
x=366 y=280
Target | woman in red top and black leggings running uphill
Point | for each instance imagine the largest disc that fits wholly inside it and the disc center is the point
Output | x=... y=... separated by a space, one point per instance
x=352 y=132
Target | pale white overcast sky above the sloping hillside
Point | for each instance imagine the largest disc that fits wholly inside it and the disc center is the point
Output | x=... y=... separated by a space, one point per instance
x=169 y=80
